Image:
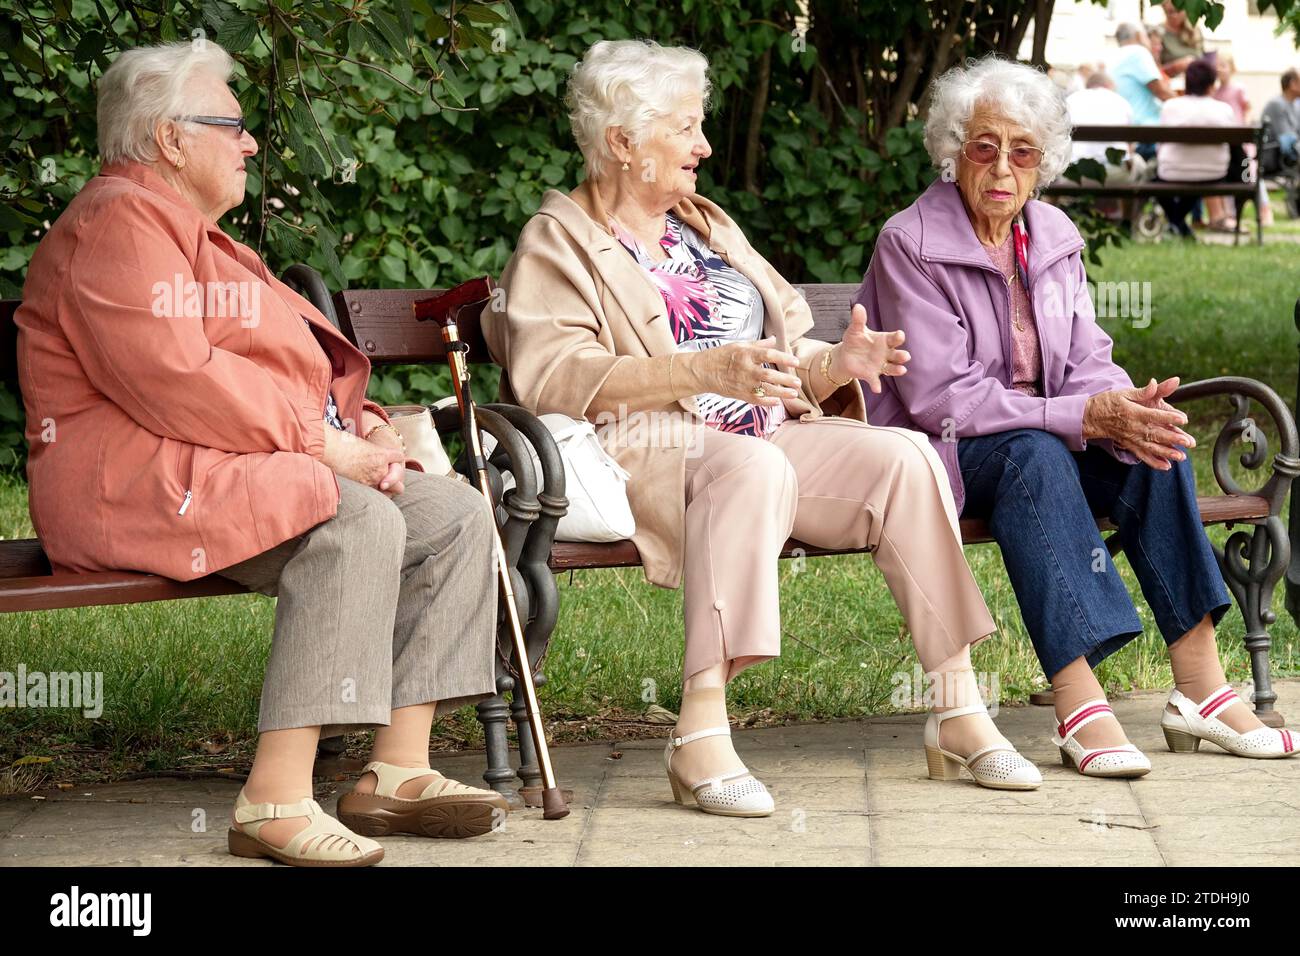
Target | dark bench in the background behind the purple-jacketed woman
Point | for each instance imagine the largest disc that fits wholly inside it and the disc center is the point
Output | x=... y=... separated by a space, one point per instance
x=1245 y=187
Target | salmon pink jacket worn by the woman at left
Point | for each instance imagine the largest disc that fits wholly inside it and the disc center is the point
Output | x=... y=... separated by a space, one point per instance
x=175 y=390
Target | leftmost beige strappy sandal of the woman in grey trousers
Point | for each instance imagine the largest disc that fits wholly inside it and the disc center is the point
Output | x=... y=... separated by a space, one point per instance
x=326 y=842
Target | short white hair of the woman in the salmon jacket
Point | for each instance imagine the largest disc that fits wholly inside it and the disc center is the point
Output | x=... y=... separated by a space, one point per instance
x=146 y=86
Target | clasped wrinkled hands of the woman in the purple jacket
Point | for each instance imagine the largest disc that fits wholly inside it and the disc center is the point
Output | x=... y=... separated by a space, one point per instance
x=1142 y=422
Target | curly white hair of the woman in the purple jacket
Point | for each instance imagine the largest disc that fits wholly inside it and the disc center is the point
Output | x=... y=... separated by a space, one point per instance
x=1022 y=94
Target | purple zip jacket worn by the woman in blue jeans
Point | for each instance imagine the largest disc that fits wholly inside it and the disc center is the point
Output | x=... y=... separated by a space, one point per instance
x=931 y=278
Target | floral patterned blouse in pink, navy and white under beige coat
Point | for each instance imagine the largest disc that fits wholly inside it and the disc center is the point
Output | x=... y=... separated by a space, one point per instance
x=709 y=305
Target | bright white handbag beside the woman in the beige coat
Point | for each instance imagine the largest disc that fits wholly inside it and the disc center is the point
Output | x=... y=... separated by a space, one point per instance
x=595 y=485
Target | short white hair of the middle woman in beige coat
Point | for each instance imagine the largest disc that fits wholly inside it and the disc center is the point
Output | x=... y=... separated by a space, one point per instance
x=630 y=84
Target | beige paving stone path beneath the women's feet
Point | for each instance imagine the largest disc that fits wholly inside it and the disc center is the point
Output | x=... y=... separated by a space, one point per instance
x=847 y=794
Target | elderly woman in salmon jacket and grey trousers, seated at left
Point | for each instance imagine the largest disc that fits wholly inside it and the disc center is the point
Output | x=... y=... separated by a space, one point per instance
x=190 y=414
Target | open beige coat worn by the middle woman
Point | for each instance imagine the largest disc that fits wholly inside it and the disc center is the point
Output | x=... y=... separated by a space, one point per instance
x=575 y=305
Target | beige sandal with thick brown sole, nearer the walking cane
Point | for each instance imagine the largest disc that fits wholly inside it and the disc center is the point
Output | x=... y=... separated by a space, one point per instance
x=444 y=810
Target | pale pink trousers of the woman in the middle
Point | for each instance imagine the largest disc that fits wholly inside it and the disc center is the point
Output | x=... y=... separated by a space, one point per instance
x=831 y=483
